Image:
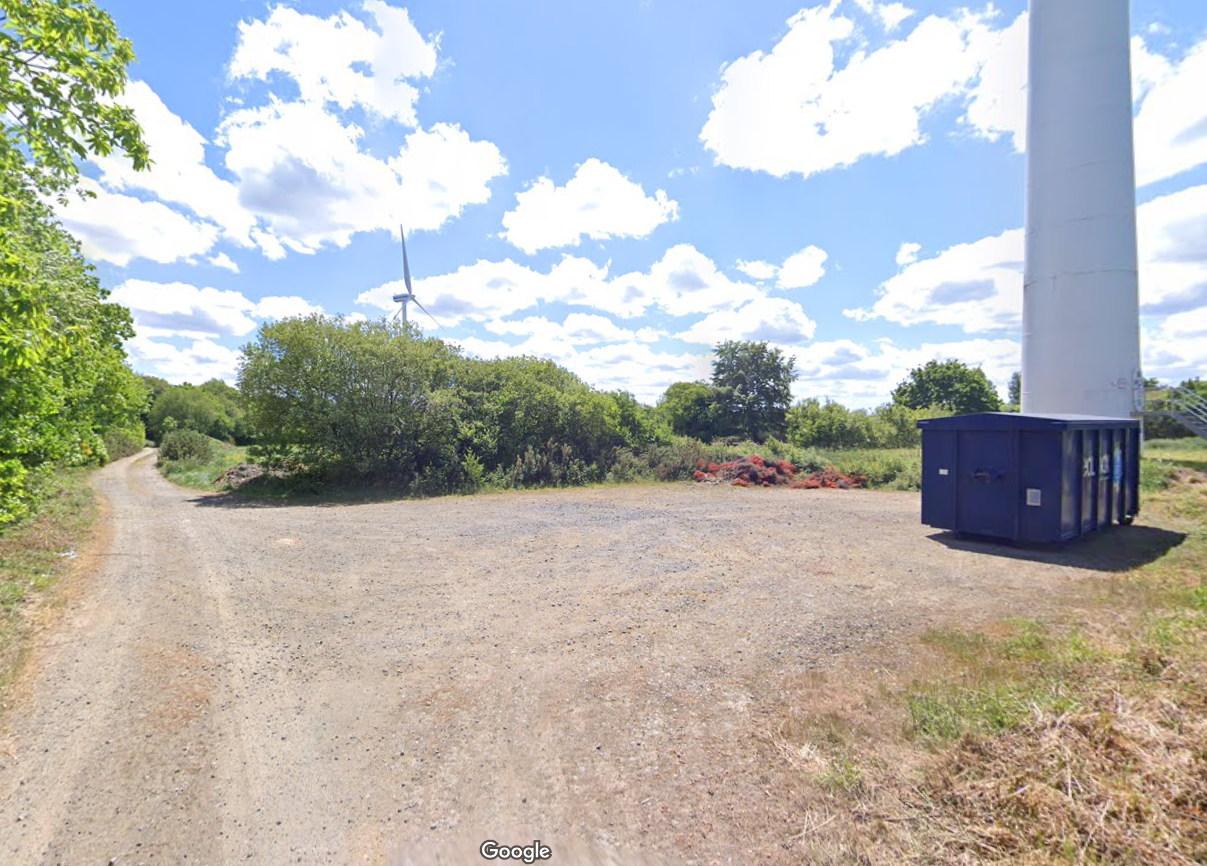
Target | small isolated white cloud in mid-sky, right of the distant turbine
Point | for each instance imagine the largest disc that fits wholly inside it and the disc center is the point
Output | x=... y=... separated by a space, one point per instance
x=598 y=204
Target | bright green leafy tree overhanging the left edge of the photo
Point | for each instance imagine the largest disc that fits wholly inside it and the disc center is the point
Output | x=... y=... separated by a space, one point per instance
x=62 y=369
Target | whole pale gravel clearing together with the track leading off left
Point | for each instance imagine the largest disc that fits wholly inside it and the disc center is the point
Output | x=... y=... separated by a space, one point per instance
x=359 y=684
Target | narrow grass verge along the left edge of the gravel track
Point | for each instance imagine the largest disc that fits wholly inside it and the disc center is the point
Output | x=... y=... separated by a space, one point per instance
x=34 y=554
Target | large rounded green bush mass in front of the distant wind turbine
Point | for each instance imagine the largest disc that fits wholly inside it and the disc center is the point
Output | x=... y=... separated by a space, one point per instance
x=381 y=402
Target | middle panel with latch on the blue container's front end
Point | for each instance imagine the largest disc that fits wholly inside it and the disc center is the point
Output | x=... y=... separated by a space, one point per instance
x=988 y=484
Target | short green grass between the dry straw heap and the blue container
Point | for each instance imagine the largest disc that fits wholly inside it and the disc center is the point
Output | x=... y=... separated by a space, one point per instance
x=1002 y=676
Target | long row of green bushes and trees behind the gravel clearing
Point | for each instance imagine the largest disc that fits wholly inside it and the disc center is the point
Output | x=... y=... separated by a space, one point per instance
x=329 y=399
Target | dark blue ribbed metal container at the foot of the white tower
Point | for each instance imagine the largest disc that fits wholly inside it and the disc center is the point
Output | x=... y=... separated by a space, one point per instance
x=1029 y=478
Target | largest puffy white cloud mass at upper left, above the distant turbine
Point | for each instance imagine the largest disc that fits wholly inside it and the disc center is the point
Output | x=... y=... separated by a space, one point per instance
x=293 y=171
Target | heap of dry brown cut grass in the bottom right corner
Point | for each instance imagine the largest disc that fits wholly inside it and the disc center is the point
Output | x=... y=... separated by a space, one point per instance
x=1122 y=782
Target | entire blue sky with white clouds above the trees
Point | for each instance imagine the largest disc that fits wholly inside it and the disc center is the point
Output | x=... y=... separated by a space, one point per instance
x=621 y=187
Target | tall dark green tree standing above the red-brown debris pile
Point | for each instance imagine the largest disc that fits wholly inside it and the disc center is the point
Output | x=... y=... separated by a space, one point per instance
x=754 y=386
